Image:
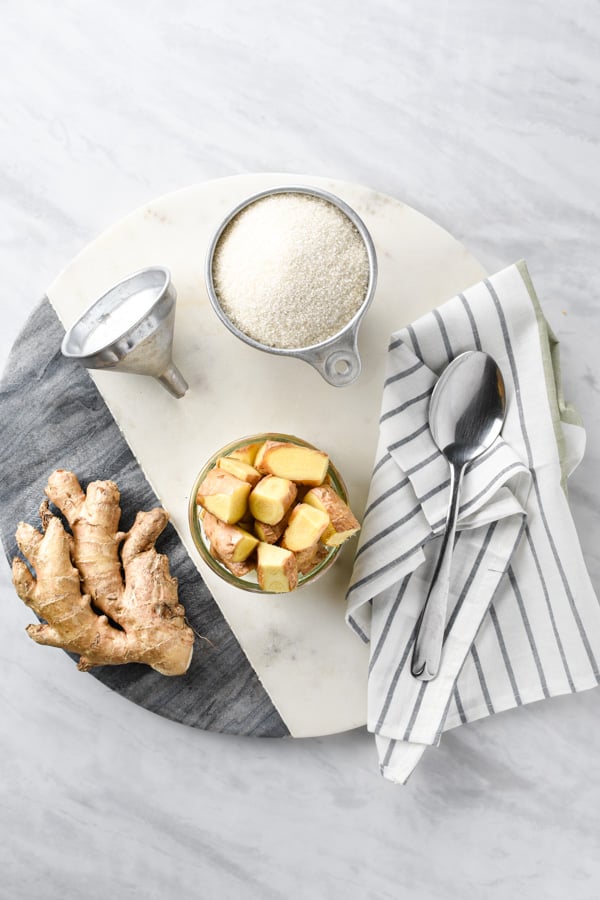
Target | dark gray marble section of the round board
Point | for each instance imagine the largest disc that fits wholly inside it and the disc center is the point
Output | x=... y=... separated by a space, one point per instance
x=220 y=691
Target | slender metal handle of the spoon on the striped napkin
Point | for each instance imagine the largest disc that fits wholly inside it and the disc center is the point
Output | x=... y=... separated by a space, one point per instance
x=430 y=634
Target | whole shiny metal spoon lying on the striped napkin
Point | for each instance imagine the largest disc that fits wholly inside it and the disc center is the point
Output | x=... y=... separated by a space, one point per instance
x=466 y=414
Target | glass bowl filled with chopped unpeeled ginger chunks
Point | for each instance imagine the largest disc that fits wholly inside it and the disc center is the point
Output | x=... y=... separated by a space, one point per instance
x=269 y=513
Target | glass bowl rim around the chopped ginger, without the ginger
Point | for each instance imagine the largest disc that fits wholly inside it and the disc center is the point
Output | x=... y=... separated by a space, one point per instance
x=249 y=582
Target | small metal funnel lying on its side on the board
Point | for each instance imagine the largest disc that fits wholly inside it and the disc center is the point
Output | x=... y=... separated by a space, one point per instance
x=130 y=329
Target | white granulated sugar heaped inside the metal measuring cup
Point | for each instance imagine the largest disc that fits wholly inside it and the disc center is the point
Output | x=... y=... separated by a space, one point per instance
x=290 y=270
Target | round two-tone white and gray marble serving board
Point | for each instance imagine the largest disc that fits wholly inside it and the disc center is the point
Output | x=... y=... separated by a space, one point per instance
x=271 y=665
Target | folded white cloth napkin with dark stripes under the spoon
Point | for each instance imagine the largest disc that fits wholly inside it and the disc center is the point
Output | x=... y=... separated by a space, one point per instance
x=523 y=619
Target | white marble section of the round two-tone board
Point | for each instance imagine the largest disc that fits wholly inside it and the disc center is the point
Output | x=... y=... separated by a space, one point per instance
x=312 y=666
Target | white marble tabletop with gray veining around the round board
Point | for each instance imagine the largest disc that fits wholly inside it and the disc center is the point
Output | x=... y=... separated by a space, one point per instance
x=485 y=117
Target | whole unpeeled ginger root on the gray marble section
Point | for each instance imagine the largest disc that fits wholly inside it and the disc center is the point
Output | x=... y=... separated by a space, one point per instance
x=106 y=606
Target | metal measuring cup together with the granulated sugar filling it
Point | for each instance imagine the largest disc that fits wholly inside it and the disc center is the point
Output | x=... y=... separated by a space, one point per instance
x=292 y=271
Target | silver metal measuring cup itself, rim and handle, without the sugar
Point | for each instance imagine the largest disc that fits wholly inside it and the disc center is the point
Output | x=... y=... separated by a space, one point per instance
x=336 y=358
